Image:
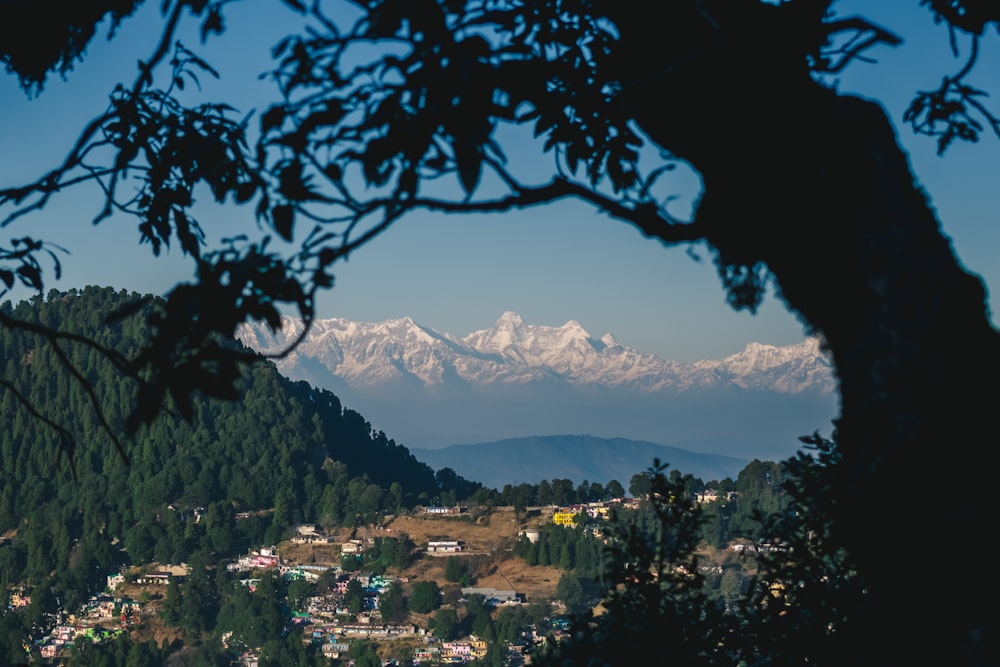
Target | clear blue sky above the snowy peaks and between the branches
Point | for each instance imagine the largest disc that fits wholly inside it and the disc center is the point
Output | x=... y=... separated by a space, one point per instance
x=458 y=274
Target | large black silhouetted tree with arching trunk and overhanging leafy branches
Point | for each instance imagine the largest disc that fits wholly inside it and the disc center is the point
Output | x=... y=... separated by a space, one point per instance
x=356 y=136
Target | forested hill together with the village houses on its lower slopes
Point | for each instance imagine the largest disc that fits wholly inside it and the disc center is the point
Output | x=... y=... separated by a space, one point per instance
x=286 y=529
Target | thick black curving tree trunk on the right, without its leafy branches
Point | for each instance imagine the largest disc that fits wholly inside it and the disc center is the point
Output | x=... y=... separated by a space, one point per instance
x=814 y=185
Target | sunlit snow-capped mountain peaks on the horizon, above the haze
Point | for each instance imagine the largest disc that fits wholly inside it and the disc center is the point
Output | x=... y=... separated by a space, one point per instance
x=397 y=353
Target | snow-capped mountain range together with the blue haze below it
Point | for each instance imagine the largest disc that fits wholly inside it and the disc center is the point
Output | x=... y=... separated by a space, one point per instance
x=429 y=389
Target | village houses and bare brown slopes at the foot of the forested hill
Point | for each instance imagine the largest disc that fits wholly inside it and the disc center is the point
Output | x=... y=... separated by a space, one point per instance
x=135 y=598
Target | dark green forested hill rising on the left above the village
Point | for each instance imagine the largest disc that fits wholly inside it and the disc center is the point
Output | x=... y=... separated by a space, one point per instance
x=71 y=511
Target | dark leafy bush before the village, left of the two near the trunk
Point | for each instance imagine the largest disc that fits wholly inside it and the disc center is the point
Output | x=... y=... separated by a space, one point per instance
x=654 y=594
